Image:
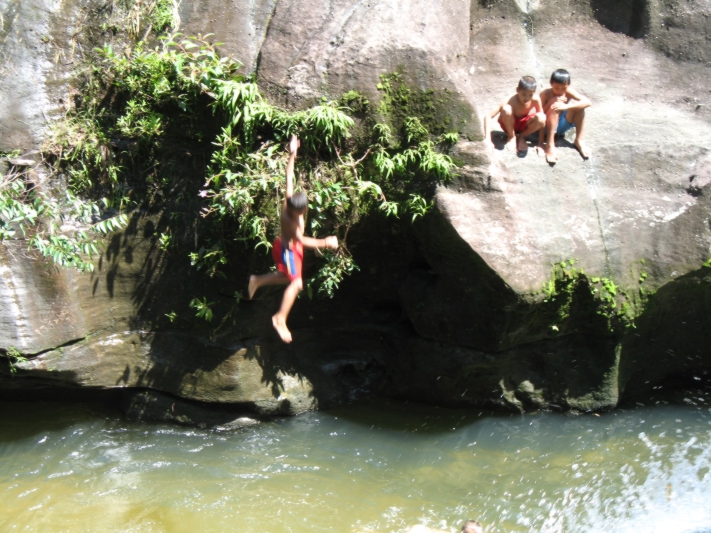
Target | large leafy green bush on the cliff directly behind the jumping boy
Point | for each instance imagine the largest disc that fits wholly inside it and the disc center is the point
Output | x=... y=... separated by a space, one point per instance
x=138 y=101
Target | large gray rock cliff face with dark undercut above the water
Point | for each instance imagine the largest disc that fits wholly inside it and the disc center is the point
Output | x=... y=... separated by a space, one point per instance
x=476 y=329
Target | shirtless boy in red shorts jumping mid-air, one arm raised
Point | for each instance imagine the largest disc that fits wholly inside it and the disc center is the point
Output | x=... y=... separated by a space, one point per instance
x=288 y=249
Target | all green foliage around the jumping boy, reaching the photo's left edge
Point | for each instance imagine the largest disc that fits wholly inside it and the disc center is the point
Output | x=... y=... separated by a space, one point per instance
x=174 y=124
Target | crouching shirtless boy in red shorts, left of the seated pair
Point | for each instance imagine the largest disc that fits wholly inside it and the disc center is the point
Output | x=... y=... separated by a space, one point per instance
x=520 y=116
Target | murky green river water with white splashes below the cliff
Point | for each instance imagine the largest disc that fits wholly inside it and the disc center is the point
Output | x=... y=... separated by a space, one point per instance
x=374 y=467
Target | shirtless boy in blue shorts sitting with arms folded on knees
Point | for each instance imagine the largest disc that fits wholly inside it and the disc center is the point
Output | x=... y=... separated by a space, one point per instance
x=564 y=109
